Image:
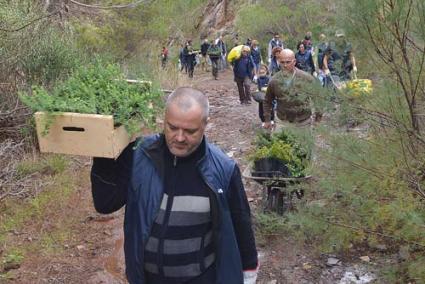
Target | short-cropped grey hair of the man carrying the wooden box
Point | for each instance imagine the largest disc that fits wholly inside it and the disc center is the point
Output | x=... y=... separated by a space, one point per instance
x=186 y=99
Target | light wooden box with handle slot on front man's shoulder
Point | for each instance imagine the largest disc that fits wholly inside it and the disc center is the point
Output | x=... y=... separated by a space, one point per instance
x=81 y=134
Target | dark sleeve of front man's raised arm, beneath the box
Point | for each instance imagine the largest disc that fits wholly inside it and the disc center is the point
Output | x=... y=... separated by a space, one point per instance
x=110 y=179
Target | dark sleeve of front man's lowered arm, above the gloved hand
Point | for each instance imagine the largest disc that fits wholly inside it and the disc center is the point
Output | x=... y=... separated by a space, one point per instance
x=241 y=218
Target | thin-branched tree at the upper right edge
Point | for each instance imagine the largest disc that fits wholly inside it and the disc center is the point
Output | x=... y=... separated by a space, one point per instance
x=394 y=31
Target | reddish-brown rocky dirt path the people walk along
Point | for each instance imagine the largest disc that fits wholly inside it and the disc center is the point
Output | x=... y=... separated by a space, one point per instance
x=95 y=253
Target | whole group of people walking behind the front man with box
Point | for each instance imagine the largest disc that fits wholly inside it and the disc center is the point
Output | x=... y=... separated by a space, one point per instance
x=324 y=63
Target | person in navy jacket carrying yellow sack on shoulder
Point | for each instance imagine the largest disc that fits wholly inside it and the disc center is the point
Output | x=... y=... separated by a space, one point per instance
x=243 y=71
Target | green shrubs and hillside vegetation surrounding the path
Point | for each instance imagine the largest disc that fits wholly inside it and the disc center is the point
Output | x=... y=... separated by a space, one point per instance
x=370 y=189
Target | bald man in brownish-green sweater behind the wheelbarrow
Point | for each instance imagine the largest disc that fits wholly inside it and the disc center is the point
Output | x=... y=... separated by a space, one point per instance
x=291 y=88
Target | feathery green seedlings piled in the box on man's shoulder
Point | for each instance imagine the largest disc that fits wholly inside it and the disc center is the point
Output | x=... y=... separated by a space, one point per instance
x=100 y=88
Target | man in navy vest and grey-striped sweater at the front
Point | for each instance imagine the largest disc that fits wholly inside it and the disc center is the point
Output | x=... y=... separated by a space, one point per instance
x=187 y=218
